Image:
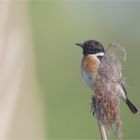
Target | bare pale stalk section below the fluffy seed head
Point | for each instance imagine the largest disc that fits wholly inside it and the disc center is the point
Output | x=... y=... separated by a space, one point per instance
x=102 y=130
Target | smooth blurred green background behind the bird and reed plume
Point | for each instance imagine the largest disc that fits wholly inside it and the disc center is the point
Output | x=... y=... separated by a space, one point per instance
x=56 y=26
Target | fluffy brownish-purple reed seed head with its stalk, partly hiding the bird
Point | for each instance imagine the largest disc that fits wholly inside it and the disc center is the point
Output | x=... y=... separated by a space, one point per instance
x=105 y=102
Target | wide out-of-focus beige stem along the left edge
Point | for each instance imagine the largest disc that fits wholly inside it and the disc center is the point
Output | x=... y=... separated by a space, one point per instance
x=21 y=113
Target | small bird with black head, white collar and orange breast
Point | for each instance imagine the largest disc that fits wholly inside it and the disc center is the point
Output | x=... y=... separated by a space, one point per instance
x=93 y=52
